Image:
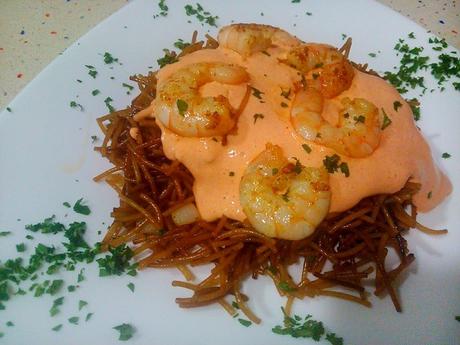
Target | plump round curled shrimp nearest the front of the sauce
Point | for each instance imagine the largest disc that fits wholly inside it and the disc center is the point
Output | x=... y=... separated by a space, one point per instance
x=282 y=199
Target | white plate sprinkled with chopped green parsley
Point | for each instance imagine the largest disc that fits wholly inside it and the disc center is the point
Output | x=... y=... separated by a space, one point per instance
x=46 y=158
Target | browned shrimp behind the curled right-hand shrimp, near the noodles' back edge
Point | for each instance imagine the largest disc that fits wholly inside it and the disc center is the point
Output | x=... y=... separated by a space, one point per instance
x=329 y=71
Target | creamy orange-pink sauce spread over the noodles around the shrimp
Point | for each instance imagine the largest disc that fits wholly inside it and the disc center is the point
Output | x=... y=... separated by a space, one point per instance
x=402 y=154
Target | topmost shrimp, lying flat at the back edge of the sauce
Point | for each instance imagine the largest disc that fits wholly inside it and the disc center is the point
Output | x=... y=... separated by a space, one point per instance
x=247 y=39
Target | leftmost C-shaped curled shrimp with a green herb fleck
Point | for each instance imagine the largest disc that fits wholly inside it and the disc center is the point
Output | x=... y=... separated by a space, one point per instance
x=180 y=107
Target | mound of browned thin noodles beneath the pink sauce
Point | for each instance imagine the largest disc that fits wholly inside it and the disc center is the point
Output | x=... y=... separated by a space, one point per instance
x=353 y=245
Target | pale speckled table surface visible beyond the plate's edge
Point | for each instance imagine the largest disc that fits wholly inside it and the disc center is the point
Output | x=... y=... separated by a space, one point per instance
x=33 y=33
